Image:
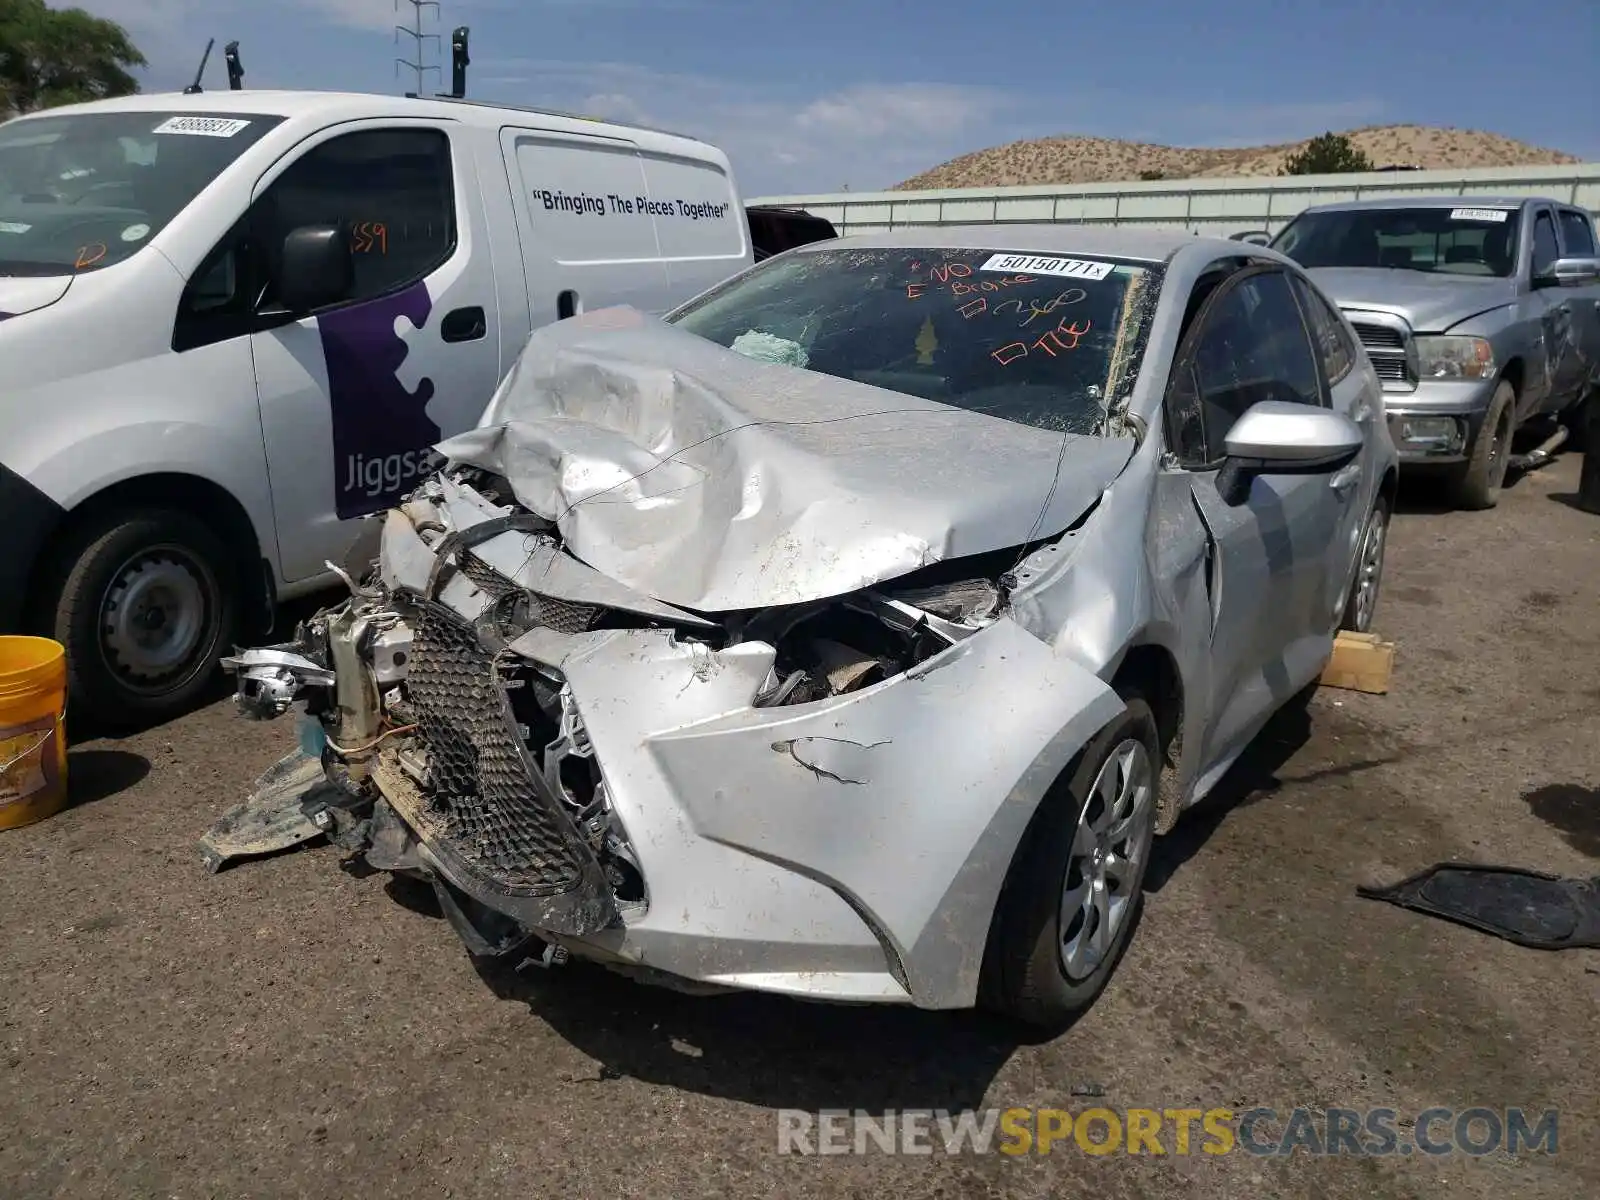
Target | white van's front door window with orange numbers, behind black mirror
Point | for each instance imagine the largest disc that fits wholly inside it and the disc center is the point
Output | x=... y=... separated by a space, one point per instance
x=391 y=188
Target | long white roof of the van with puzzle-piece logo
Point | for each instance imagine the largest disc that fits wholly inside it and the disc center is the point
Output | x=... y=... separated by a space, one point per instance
x=340 y=106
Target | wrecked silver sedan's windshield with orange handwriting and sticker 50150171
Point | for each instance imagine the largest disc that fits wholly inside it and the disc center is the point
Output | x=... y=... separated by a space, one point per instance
x=1041 y=340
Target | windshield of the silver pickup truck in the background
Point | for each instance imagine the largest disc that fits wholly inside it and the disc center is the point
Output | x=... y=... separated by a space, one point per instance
x=1468 y=241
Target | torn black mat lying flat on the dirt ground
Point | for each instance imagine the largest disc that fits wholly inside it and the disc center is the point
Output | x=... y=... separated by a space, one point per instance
x=1529 y=908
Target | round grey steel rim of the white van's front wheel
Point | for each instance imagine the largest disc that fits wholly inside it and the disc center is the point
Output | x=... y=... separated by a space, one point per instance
x=154 y=617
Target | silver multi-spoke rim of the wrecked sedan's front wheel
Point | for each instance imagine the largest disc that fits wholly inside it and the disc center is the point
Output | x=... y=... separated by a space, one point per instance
x=1108 y=855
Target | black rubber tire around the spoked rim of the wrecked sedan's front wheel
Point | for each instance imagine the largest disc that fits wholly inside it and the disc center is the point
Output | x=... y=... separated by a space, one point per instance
x=1025 y=972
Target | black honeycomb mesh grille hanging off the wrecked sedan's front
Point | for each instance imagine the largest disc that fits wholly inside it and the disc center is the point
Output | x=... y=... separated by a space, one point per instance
x=481 y=783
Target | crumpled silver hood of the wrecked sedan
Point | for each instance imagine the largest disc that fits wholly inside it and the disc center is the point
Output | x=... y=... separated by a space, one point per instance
x=710 y=481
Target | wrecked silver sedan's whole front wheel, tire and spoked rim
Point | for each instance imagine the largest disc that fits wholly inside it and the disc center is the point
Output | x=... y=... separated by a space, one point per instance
x=1074 y=892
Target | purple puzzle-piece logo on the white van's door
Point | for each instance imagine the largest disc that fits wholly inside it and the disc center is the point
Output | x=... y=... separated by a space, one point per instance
x=382 y=433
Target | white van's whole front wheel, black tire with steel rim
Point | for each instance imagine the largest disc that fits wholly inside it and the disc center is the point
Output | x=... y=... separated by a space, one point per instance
x=102 y=583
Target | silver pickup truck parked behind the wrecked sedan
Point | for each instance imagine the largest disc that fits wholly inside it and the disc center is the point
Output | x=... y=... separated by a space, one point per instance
x=1481 y=316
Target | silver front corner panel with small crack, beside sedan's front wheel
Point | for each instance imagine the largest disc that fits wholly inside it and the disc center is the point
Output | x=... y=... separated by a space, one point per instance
x=910 y=799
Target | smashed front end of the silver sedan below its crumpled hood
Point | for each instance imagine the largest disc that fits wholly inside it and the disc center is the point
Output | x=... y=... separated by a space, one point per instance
x=818 y=799
